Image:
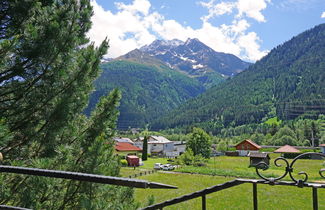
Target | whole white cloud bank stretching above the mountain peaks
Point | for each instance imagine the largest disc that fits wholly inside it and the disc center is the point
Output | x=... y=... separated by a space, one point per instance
x=135 y=25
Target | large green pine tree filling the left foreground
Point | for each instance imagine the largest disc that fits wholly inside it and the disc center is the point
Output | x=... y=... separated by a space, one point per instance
x=47 y=69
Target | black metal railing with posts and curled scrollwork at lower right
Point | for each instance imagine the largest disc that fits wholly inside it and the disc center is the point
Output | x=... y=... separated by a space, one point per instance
x=265 y=180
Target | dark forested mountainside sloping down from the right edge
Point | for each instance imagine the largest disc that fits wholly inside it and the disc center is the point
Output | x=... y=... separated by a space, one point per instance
x=287 y=83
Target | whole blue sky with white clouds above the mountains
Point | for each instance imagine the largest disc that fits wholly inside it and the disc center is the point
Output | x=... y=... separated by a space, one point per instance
x=248 y=29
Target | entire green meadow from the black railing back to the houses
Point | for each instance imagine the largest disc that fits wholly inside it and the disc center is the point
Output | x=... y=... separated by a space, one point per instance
x=239 y=197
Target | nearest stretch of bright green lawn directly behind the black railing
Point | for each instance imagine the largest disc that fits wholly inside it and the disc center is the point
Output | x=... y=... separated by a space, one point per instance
x=239 y=197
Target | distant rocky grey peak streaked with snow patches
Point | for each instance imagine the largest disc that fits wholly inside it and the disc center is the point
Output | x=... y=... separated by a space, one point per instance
x=196 y=60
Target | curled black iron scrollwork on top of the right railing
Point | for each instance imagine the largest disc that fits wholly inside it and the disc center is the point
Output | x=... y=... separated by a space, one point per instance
x=289 y=169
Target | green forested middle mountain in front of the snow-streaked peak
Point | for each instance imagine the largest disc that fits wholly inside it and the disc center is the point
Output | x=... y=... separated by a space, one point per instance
x=148 y=90
